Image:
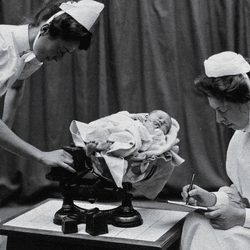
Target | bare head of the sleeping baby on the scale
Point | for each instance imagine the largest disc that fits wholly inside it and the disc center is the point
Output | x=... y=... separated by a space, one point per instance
x=161 y=120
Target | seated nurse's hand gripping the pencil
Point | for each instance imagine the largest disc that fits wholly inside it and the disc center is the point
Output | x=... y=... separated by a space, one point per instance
x=198 y=196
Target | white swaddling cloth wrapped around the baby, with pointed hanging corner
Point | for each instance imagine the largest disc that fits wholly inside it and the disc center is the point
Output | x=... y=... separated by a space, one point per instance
x=131 y=139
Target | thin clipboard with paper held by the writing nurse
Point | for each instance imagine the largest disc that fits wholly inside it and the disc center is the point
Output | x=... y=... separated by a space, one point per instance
x=181 y=206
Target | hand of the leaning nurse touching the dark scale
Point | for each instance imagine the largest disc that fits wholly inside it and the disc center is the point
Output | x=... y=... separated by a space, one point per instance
x=58 y=158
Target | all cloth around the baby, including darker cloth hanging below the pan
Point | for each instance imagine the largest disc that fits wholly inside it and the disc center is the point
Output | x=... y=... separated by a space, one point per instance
x=159 y=153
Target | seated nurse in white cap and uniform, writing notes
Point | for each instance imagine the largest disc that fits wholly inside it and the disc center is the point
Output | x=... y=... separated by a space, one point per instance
x=226 y=226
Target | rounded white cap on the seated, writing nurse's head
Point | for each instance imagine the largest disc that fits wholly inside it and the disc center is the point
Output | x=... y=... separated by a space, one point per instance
x=226 y=63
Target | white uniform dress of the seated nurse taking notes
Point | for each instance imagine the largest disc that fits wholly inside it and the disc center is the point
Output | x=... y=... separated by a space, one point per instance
x=197 y=231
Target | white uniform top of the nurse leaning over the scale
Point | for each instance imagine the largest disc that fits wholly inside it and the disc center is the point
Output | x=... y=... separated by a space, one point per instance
x=17 y=61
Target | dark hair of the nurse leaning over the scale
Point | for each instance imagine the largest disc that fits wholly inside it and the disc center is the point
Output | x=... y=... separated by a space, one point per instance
x=63 y=26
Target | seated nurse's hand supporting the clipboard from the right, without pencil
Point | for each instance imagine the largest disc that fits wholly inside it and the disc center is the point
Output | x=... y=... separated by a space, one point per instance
x=225 y=216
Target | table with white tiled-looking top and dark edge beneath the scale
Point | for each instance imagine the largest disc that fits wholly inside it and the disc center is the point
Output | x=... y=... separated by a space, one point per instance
x=34 y=230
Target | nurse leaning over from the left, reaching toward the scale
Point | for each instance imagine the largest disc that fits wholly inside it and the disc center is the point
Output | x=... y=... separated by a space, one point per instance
x=56 y=30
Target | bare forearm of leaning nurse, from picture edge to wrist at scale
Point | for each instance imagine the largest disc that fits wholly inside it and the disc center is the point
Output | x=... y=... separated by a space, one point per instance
x=11 y=142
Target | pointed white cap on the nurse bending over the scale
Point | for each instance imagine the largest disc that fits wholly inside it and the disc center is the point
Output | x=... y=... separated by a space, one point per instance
x=84 y=12
